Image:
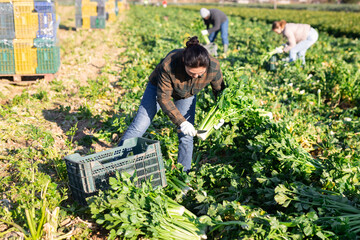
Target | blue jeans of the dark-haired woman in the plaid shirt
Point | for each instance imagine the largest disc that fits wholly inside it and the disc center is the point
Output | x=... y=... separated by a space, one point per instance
x=147 y=111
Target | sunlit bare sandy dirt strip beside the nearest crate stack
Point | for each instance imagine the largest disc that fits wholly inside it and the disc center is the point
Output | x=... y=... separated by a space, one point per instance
x=84 y=53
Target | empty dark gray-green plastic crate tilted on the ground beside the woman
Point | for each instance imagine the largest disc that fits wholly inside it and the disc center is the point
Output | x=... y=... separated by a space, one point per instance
x=89 y=174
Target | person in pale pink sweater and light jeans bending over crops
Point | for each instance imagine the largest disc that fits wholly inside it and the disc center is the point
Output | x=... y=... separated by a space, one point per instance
x=300 y=38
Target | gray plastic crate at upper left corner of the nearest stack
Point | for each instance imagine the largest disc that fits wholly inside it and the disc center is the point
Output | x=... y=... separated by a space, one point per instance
x=7 y=29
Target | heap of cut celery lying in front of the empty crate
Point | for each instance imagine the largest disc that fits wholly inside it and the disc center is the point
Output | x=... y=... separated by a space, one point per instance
x=130 y=212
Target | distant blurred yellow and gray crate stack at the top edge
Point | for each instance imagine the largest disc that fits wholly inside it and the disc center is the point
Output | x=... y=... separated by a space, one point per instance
x=95 y=13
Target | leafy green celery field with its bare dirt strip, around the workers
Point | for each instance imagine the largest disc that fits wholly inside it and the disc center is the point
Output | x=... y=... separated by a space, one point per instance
x=293 y=176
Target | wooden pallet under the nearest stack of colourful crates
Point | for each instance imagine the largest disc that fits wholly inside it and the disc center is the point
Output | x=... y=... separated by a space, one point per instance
x=27 y=78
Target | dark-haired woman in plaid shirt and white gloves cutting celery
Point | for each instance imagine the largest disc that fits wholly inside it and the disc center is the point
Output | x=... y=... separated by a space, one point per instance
x=173 y=86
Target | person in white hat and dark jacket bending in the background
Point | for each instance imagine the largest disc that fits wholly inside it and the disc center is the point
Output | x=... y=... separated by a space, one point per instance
x=219 y=22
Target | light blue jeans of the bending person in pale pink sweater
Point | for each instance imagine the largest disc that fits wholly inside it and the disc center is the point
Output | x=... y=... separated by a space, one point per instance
x=300 y=49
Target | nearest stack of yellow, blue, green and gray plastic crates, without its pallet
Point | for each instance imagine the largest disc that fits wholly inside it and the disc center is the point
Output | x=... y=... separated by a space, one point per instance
x=28 y=42
